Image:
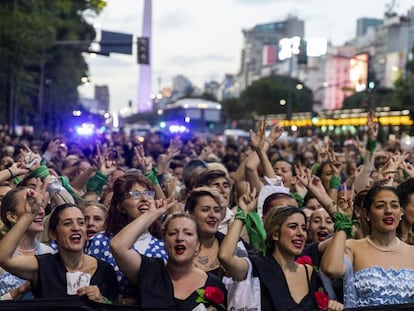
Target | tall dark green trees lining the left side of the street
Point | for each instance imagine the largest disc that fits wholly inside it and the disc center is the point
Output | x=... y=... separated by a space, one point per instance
x=38 y=75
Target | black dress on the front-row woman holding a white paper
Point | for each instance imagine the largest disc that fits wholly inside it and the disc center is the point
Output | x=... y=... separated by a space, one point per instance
x=52 y=283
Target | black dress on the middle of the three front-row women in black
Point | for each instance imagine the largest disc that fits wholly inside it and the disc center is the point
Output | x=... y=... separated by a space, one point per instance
x=156 y=291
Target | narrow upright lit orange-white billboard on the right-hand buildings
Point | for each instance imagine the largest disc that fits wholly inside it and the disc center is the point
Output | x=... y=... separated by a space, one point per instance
x=358 y=72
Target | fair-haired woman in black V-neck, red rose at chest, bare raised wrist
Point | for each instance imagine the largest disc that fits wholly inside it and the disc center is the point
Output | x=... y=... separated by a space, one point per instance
x=177 y=284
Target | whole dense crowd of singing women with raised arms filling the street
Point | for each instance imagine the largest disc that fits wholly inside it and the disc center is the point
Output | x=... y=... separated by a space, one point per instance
x=186 y=224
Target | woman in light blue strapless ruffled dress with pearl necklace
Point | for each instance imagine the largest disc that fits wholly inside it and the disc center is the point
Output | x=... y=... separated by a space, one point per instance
x=378 y=269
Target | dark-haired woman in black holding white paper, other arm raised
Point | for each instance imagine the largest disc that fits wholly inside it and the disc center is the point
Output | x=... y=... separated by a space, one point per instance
x=69 y=272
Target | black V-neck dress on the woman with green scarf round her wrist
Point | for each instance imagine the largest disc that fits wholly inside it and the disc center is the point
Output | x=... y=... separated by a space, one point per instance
x=275 y=294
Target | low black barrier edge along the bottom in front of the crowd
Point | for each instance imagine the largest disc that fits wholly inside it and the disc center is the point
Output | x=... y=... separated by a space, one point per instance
x=75 y=304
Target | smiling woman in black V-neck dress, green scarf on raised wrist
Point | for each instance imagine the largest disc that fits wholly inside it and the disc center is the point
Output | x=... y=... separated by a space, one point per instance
x=285 y=284
